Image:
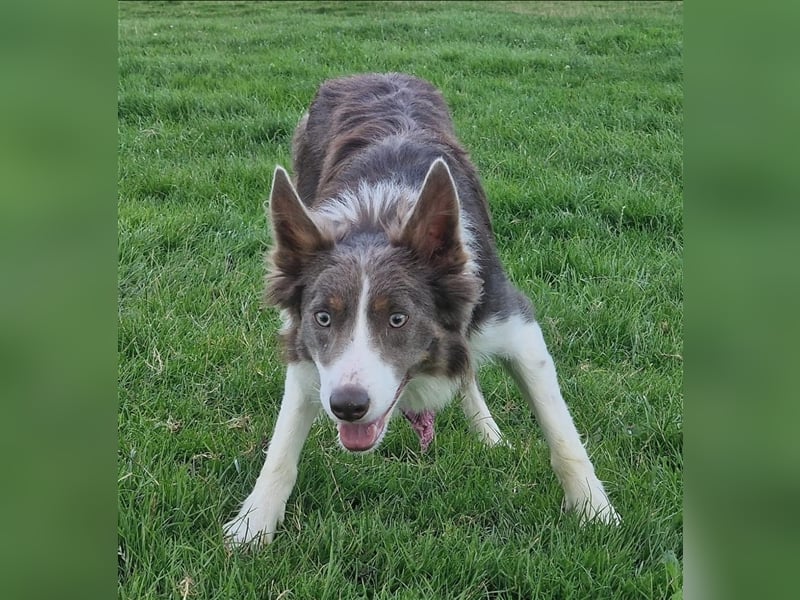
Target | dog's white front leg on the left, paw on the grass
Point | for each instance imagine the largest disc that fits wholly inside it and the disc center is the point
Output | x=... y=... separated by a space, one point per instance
x=263 y=509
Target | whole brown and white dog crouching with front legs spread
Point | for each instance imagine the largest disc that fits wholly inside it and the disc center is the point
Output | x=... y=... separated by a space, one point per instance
x=392 y=293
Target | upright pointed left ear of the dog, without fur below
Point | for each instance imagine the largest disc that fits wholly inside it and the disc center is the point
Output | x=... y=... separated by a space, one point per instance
x=293 y=229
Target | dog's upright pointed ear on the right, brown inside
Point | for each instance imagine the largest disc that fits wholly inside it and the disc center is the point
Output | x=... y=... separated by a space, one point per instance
x=433 y=230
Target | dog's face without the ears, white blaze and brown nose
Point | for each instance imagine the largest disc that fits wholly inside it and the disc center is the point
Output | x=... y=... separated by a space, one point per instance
x=366 y=325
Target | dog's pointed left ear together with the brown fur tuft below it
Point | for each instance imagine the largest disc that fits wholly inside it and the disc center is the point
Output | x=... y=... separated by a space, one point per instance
x=296 y=240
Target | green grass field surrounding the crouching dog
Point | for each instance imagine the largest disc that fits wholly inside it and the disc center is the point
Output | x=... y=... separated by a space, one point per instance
x=573 y=114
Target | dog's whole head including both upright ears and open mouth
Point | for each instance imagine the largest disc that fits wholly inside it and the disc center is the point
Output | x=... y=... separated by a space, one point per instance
x=373 y=308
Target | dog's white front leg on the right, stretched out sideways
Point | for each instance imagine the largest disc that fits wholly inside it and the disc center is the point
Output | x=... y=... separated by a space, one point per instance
x=533 y=369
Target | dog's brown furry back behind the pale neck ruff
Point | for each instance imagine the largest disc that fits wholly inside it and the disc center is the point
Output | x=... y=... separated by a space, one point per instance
x=374 y=127
